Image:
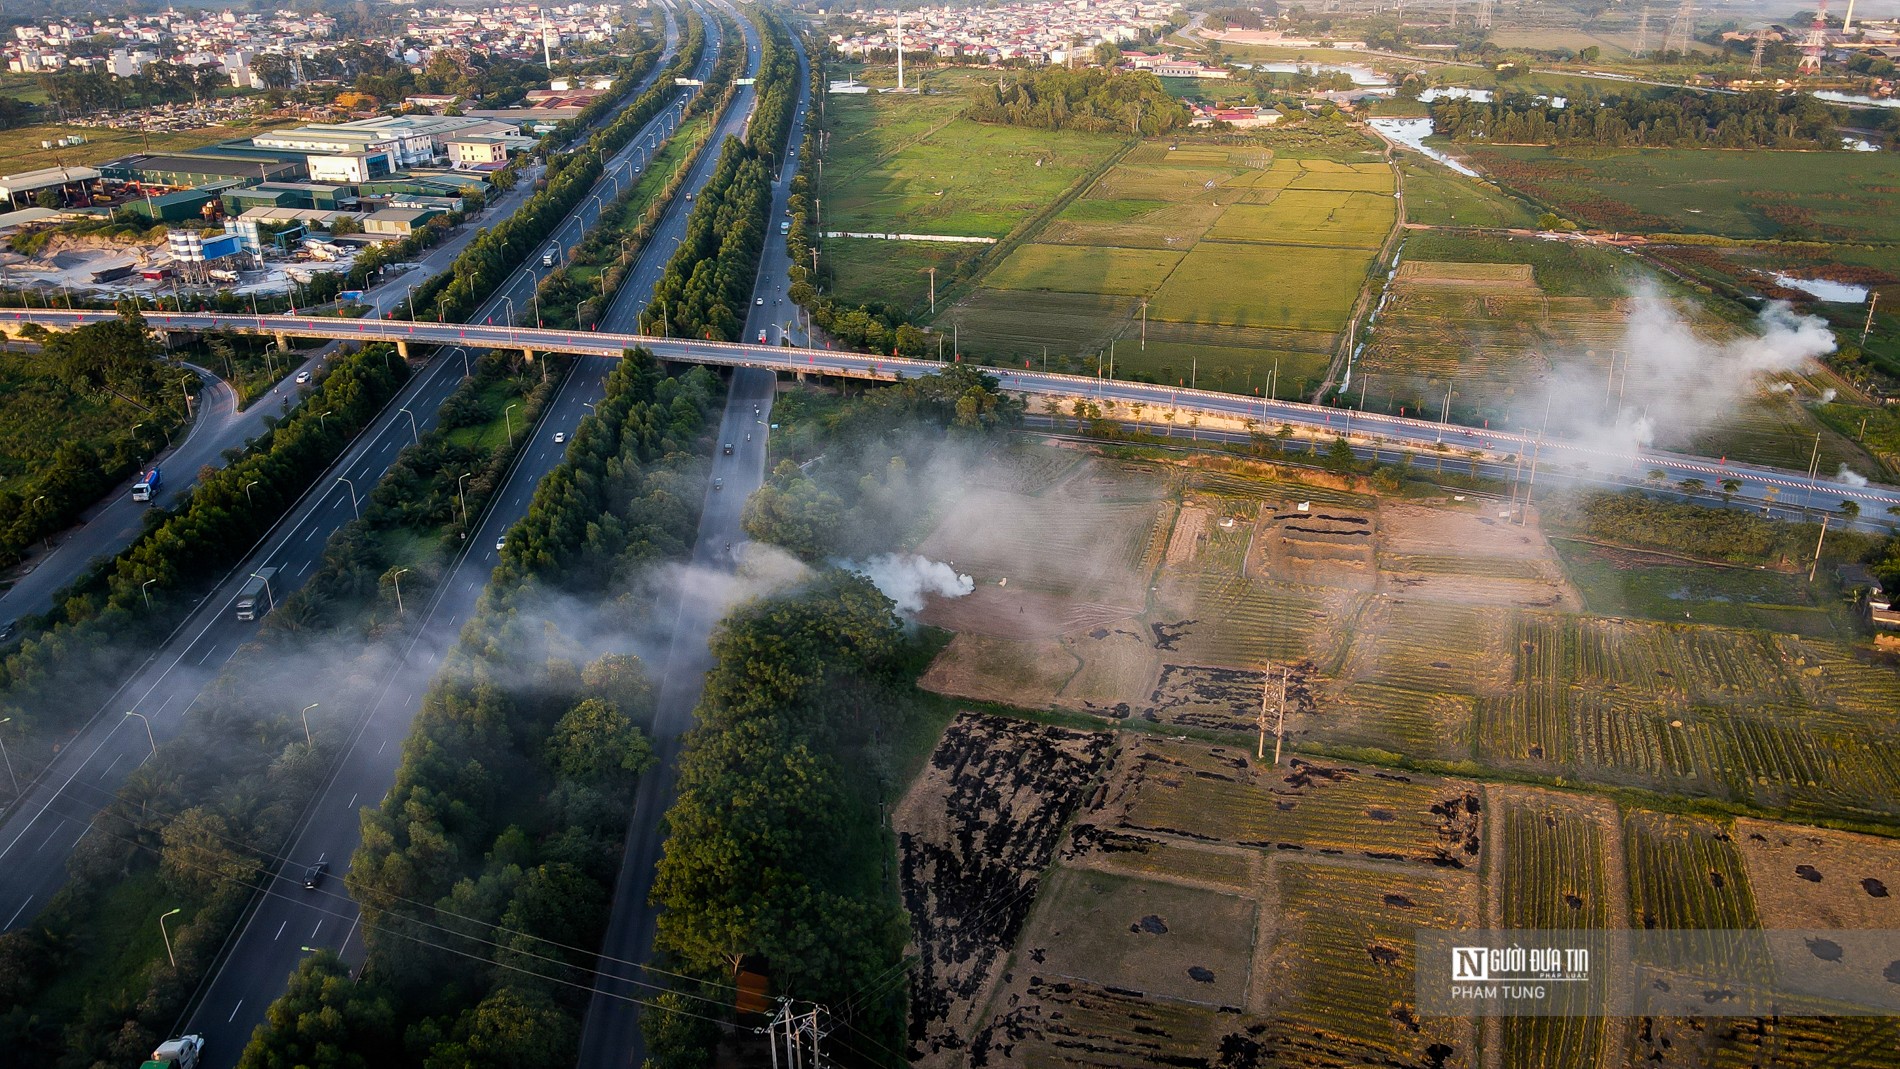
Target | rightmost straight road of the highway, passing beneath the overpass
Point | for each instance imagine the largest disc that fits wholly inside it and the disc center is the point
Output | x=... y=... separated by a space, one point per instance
x=611 y=1036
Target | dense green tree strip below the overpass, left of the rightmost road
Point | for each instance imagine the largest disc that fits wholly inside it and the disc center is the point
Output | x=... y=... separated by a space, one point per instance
x=491 y=865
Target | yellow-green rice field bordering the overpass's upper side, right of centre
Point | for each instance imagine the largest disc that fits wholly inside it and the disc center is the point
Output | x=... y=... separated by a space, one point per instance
x=1244 y=259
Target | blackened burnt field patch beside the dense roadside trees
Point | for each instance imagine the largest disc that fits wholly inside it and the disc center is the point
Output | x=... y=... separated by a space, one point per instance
x=974 y=835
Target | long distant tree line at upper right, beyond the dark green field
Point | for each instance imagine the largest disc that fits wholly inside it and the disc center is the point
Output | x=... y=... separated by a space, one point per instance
x=1760 y=119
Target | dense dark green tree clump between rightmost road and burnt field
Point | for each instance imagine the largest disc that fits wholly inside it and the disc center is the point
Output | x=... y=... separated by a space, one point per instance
x=774 y=844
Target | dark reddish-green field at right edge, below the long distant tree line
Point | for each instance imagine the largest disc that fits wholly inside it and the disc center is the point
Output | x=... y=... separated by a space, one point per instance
x=1833 y=197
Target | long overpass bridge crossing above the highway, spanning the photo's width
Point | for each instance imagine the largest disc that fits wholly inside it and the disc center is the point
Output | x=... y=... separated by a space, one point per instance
x=1774 y=489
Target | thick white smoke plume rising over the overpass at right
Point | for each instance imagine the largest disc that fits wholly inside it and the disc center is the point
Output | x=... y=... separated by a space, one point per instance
x=1675 y=383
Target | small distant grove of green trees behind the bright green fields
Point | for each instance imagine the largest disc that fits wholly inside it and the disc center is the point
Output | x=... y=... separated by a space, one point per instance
x=1095 y=100
